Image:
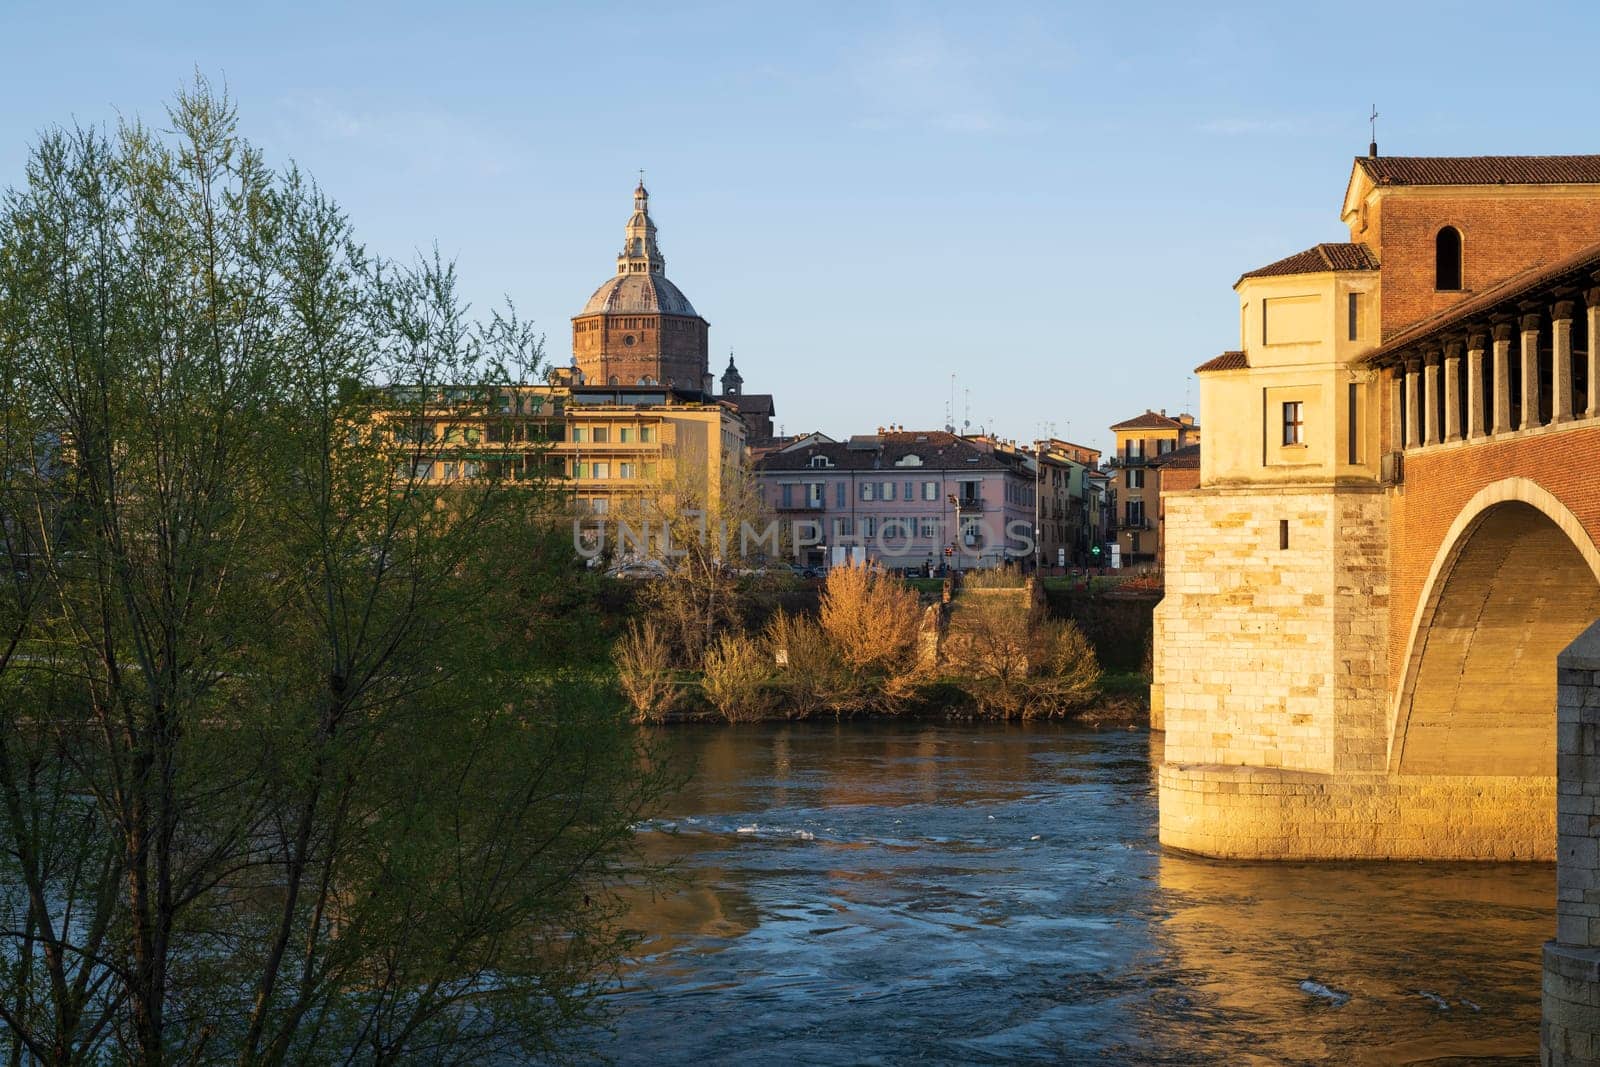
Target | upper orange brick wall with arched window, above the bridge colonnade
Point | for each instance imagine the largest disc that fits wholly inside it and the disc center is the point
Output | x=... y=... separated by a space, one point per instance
x=1502 y=236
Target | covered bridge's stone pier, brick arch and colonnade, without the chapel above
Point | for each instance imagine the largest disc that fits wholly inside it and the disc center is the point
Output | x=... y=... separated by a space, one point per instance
x=1367 y=668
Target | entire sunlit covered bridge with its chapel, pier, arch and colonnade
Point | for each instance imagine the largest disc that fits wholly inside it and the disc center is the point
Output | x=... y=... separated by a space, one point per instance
x=1396 y=527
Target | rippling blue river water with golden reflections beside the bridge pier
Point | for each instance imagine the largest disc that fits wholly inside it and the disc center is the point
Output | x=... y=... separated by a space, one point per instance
x=895 y=893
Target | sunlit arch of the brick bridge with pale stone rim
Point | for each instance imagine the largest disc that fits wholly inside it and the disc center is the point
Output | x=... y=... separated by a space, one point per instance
x=1516 y=581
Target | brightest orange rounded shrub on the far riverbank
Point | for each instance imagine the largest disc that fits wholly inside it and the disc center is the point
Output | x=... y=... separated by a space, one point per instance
x=871 y=618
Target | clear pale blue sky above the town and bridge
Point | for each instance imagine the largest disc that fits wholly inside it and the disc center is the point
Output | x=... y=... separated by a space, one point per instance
x=1047 y=201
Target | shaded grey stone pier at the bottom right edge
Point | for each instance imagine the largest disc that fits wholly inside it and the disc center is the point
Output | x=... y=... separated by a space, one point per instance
x=1570 y=1031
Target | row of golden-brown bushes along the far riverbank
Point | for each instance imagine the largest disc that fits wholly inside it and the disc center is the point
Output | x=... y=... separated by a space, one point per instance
x=988 y=649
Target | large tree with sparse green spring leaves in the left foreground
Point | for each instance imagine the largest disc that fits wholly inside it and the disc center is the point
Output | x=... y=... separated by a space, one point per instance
x=279 y=777
